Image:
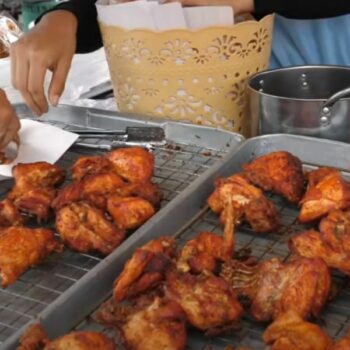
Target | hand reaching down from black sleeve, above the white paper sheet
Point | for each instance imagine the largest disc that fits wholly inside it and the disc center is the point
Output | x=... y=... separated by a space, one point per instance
x=50 y=45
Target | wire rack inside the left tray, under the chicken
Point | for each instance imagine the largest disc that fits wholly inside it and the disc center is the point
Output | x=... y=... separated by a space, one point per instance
x=176 y=166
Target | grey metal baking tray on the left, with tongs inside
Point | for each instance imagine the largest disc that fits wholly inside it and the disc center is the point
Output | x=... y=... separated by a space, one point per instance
x=191 y=151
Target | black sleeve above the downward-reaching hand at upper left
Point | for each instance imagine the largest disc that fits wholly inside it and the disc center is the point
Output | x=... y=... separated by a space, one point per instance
x=88 y=35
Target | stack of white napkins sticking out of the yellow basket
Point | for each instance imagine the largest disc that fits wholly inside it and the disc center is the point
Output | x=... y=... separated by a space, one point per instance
x=143 y=14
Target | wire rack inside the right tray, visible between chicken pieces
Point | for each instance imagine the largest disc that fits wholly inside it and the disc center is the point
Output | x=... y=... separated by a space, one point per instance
x=335 y=318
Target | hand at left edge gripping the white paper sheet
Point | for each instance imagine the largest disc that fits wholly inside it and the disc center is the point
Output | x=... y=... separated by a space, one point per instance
x=9 y=123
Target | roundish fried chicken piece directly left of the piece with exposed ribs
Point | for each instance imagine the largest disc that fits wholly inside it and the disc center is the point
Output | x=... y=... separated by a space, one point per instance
x=208 y=301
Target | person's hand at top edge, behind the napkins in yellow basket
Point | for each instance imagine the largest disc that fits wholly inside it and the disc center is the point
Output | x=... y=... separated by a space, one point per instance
x=239 y=6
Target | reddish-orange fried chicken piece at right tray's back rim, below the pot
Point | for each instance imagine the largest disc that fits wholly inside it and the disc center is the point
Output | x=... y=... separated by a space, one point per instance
x=280 y=172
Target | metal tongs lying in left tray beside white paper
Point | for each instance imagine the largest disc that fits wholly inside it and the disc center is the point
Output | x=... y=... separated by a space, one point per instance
x=144 y=136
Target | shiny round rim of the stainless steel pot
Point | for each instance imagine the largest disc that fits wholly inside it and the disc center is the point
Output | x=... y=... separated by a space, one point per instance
x=295 y=68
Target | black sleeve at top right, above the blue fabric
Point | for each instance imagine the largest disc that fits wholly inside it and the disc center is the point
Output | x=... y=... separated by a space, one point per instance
x=302 y=9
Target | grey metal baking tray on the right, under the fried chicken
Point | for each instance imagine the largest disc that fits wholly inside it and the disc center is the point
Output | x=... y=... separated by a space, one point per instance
x=186 y=216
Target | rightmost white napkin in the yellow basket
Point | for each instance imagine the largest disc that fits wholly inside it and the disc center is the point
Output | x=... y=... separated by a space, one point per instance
x=206 y=16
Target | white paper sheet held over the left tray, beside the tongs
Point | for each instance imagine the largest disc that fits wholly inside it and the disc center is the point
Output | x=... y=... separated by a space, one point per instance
x=39 y=142
